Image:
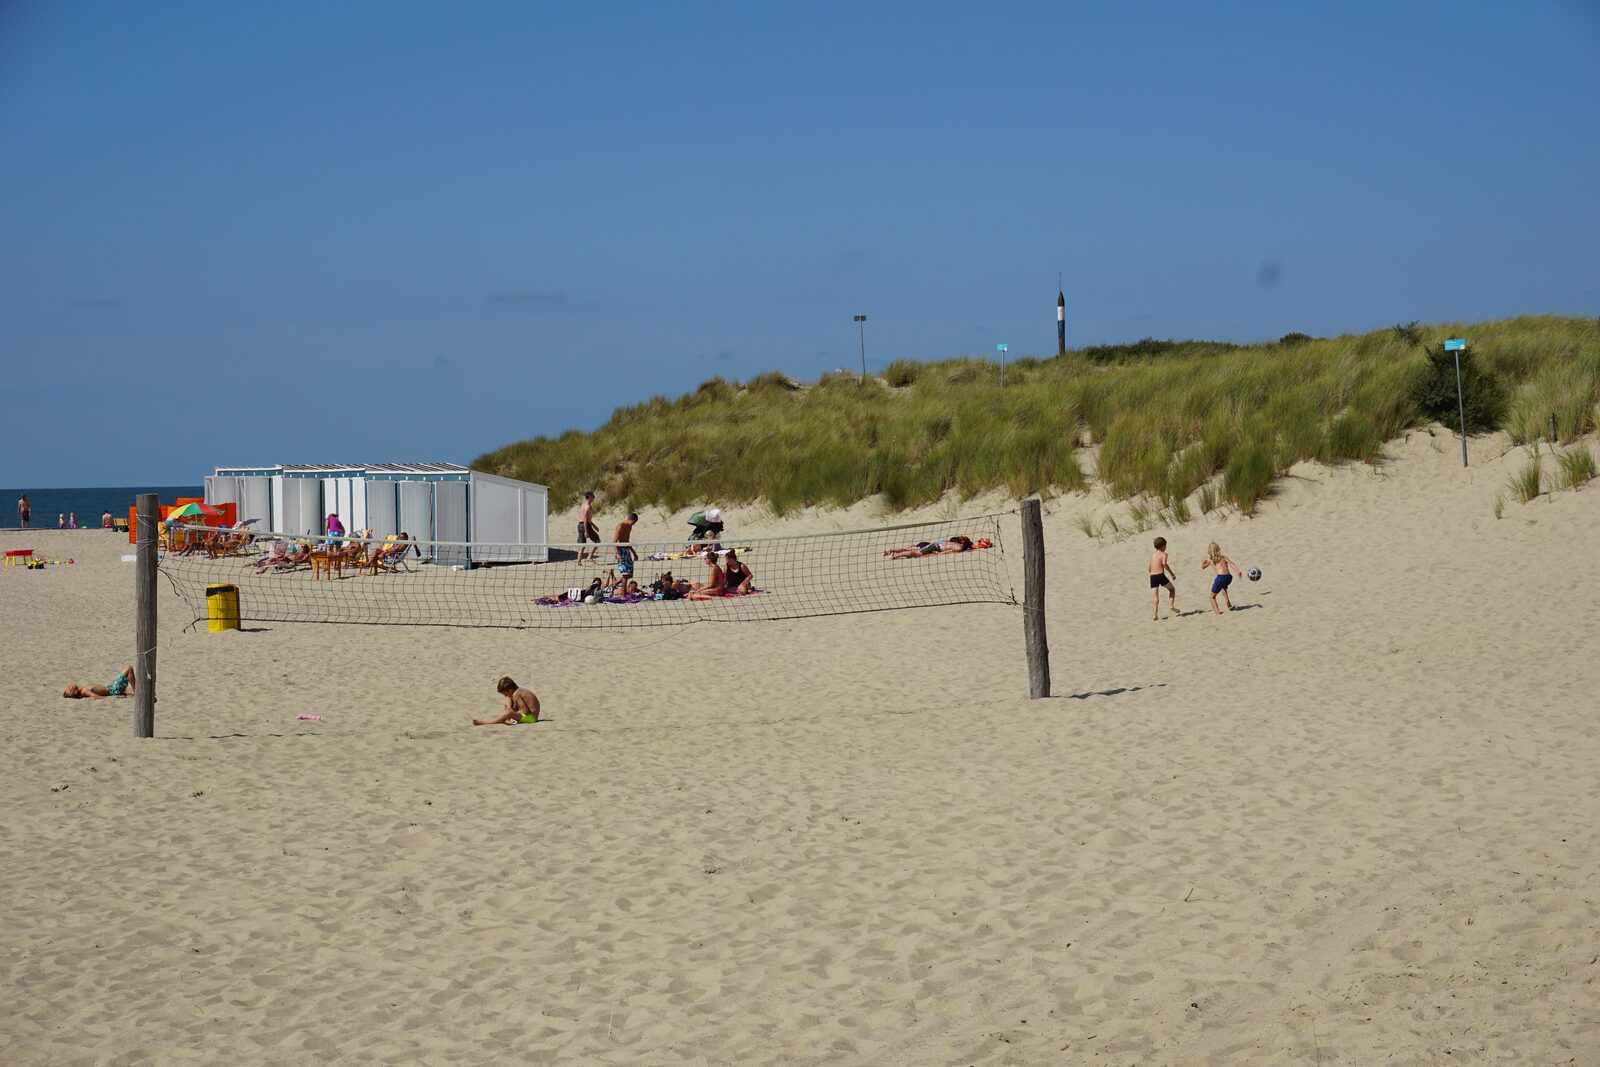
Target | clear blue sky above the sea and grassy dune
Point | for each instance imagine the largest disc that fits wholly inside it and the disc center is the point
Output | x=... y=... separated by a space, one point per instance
x=278 y=233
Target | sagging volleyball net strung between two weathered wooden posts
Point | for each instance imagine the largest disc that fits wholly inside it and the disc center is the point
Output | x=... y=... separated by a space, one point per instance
x=286 y=578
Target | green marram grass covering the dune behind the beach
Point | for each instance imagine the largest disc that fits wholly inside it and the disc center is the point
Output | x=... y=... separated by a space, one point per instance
x=1169 y=422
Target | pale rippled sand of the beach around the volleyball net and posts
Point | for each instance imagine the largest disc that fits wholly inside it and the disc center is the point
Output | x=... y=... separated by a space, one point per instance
x=1356 y=821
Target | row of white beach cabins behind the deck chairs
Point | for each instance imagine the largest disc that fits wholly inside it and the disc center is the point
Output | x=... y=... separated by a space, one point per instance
x=428 y=502
